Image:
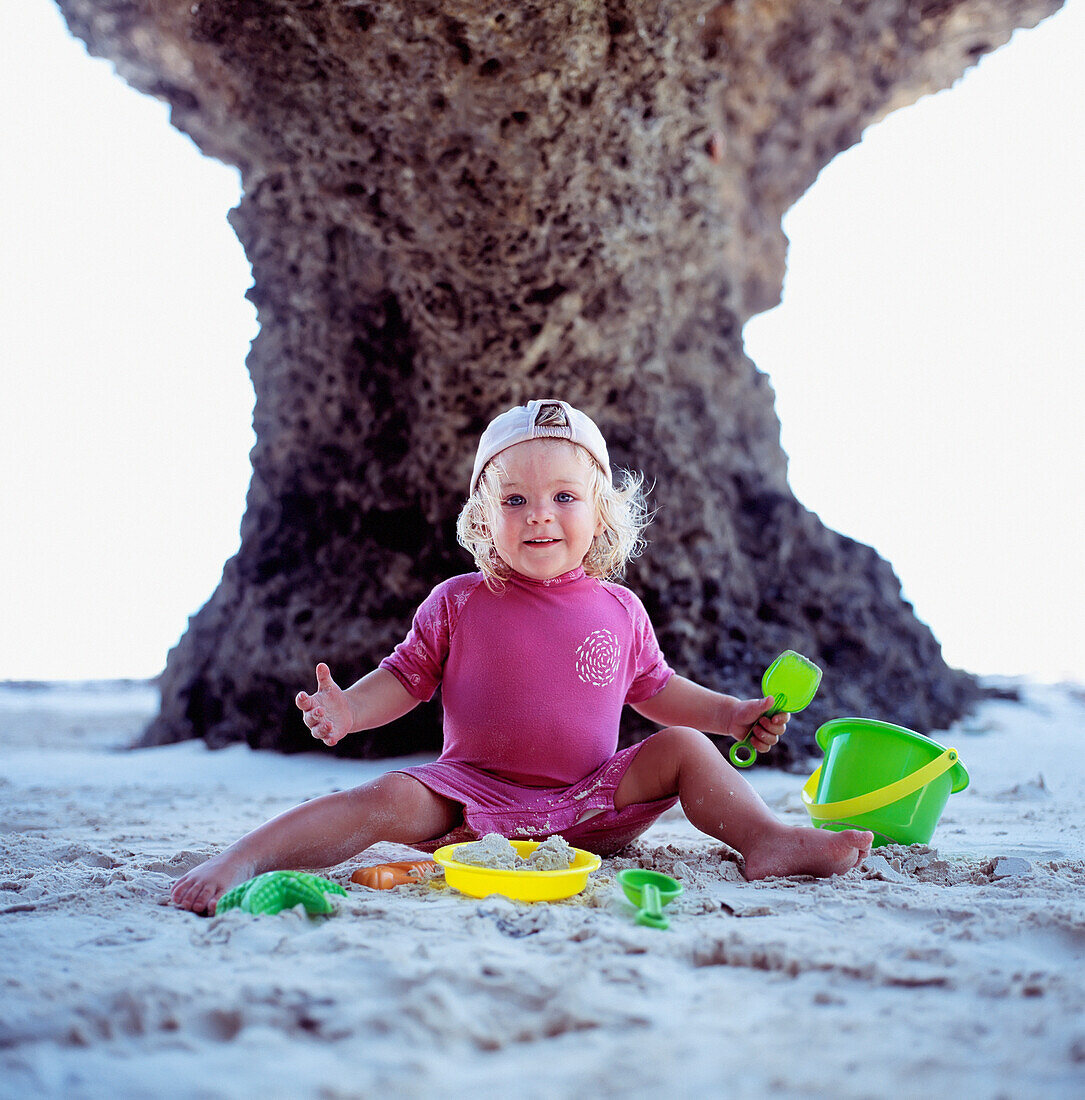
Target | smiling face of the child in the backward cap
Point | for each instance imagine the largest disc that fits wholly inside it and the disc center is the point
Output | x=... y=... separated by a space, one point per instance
x=546 y=520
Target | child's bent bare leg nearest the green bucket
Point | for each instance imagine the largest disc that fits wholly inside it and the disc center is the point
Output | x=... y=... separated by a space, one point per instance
x=720 y=802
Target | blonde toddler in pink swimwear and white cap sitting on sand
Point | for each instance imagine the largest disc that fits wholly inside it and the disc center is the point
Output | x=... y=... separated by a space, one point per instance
x=536 y=654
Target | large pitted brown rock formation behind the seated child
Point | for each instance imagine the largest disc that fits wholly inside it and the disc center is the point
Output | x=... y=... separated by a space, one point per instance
x=453 y=206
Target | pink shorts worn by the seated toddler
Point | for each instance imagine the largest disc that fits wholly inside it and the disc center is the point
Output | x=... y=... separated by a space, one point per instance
x=584 y=813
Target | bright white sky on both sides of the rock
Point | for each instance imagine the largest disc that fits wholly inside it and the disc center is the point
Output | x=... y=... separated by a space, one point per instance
x=927 y=359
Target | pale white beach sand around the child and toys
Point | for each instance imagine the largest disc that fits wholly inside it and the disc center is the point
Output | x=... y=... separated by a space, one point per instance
x=958 y=973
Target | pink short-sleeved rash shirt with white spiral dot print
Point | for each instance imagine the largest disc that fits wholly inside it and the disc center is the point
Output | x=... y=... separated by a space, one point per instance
x=534 y=677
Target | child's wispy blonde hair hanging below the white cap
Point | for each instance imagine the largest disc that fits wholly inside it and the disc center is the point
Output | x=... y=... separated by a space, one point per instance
x=622 y=510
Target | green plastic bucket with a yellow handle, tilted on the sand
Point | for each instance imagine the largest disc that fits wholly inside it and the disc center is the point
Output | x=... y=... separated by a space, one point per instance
x=884 y=778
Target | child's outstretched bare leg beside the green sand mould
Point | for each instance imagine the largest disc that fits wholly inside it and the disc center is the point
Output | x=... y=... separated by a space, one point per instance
x=323 y=833
